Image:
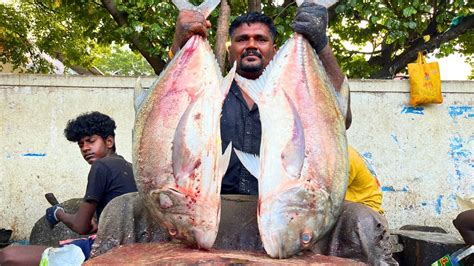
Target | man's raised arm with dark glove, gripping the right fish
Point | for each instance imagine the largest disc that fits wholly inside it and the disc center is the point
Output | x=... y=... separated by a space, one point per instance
x=311 y=22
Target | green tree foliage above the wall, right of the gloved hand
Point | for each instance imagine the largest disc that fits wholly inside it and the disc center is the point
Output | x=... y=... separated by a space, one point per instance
x=396 y=31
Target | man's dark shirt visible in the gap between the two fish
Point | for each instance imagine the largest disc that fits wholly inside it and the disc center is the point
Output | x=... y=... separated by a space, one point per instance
x=242 y=126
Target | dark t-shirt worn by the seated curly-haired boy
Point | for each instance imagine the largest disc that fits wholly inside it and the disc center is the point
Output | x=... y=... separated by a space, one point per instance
x=108 y=178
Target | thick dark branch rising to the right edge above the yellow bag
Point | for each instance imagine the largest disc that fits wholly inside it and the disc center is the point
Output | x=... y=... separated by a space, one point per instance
x=410 y=54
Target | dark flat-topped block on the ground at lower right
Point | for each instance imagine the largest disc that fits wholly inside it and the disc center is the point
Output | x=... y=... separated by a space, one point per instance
x=423 y=248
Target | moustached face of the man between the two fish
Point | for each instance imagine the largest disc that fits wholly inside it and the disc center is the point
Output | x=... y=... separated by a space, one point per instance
x=252 y=48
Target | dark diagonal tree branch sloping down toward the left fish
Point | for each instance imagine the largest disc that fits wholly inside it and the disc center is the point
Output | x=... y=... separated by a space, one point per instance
x=157 y=63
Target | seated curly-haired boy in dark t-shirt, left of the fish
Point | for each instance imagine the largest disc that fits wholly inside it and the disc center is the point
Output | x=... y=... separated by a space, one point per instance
x=110 y=176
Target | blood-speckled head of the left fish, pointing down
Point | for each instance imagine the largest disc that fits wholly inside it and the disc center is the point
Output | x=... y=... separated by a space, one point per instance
x=187 y=218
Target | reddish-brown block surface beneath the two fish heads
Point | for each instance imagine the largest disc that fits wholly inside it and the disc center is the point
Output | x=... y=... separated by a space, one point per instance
x=177 y=254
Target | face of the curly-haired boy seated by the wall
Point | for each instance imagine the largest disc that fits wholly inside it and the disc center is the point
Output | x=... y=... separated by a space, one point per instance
x=95 y=147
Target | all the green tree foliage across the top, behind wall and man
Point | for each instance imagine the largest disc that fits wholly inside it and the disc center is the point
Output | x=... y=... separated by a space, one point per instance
x=76 y=31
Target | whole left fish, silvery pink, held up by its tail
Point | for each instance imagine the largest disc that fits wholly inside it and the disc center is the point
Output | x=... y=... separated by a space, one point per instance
x=177 y=155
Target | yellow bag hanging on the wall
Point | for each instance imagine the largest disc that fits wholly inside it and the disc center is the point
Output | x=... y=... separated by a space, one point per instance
x=425 y=82
